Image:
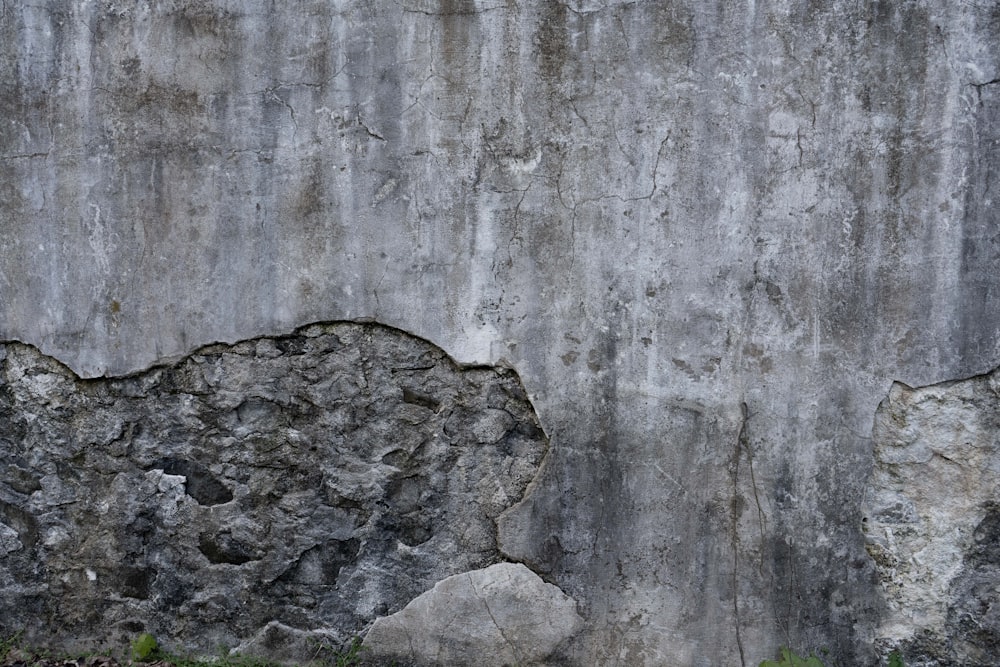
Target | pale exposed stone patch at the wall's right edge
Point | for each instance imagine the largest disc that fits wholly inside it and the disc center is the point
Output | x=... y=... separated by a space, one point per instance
x=932 y=521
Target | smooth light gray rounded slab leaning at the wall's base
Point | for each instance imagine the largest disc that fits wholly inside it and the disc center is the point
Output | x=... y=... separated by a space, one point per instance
x=501 y=615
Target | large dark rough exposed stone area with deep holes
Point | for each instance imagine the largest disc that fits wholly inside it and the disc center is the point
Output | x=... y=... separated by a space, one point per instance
x=306 y=483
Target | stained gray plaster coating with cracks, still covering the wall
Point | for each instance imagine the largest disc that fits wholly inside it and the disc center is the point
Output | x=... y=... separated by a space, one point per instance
x=708 y=235
